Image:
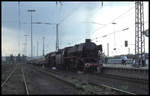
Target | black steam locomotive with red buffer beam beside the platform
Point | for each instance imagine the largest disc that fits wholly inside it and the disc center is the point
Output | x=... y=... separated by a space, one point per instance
x=82 y=57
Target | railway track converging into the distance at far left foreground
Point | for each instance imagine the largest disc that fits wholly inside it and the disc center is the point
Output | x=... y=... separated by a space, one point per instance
x=8 y=81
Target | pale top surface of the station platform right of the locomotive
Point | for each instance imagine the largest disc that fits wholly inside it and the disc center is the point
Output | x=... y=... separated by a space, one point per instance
x=125 y=66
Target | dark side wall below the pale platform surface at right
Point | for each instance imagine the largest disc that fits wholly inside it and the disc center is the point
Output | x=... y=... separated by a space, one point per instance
x=127 y=72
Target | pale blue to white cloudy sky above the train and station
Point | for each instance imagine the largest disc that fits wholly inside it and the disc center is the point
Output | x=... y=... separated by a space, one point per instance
x=77 y=21
